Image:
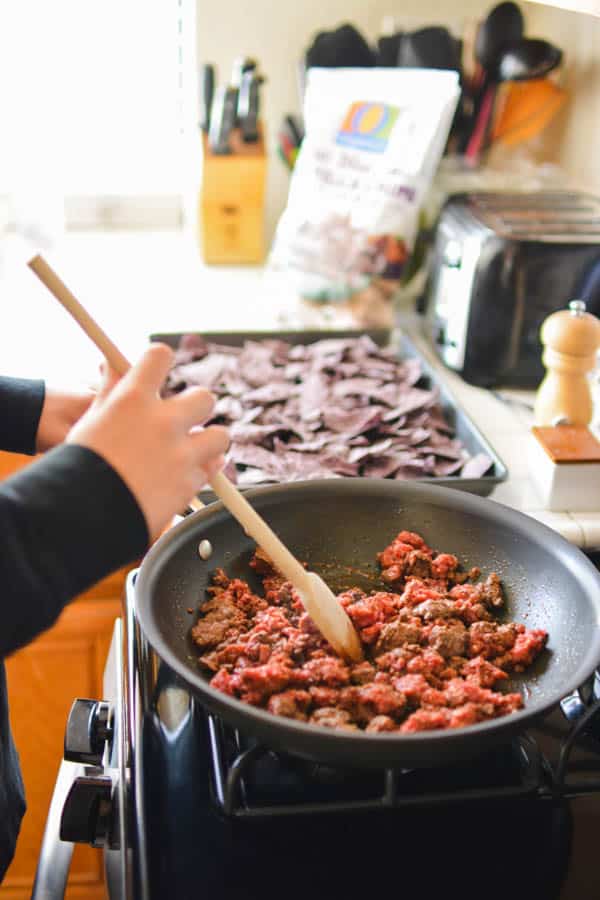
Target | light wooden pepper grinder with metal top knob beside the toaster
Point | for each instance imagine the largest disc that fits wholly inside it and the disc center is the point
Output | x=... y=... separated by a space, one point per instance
x=571 y=339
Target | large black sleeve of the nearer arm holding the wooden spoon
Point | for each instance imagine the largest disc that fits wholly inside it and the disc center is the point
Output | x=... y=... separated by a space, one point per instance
x=66 y=521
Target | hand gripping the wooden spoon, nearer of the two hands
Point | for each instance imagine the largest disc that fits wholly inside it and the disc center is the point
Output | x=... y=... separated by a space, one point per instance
x=153 y=443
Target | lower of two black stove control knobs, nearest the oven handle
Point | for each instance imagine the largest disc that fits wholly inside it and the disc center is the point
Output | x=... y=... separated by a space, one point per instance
x=87 y=812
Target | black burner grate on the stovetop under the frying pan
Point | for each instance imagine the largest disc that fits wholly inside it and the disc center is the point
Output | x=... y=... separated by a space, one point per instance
x=251 y=781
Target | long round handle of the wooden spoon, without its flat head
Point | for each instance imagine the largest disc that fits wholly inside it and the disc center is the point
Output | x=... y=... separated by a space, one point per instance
x=256 y=527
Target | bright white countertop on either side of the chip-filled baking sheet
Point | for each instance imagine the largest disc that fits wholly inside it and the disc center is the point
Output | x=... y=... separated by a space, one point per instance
x=139 y=283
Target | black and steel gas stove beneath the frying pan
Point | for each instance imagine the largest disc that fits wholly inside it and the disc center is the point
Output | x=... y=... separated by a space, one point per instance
x=184 y=806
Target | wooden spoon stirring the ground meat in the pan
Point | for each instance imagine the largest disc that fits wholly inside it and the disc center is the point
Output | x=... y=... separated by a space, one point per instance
x=320 y=602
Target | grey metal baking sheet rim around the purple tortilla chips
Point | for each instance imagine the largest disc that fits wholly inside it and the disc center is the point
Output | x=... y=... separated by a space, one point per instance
x=463 y=426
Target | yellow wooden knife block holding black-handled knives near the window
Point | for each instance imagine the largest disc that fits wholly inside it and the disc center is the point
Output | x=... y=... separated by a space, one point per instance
x=232 y=202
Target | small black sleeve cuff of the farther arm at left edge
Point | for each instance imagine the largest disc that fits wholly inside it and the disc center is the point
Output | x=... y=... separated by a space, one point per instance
x=21 y=402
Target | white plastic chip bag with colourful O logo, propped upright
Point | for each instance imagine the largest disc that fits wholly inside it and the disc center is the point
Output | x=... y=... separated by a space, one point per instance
x=374 y=138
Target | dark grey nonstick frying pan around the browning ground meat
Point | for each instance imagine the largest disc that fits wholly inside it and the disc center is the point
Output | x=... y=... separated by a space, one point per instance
x=341 y=524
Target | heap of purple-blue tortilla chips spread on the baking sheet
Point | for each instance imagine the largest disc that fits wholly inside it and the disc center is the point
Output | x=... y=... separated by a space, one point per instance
x=335 y=408
